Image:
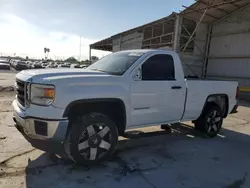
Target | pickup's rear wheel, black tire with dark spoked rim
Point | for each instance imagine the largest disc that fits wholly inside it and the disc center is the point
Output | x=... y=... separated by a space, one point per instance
x=210 y=122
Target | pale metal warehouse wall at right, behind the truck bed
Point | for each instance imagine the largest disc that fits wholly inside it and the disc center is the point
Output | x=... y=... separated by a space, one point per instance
x=231 y=52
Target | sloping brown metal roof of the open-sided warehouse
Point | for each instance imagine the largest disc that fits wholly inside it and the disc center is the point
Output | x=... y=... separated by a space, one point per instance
x=215 y=10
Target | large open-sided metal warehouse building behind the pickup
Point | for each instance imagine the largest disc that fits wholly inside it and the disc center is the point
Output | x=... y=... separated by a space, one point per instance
x=211 y=36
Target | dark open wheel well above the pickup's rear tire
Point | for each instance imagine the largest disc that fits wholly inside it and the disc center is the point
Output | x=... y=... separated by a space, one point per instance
x=220 y=100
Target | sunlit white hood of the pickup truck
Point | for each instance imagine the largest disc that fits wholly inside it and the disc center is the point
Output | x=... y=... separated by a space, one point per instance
x=52 y=74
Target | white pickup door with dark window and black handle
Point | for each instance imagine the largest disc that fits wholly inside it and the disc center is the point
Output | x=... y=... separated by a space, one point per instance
x=157 y=97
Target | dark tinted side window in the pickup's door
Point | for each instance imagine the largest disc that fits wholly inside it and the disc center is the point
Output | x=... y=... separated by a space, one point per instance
x=158 y=67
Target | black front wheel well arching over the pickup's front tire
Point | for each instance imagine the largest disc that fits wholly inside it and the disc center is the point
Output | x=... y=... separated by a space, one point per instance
x=113 y=108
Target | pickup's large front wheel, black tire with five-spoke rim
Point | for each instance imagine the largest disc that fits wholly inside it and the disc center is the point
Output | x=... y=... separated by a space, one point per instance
x=91 y=139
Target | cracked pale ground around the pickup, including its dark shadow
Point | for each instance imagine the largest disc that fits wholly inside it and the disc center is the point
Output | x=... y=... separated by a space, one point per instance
x=147 y=158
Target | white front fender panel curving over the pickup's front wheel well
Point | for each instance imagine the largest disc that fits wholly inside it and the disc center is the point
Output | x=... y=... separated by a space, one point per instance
x=67 y=94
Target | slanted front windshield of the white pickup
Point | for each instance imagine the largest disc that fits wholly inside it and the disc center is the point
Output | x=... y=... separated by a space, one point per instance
x=116 y=63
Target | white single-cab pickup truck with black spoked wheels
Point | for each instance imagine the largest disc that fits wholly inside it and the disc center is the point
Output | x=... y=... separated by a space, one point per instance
x=81 y=113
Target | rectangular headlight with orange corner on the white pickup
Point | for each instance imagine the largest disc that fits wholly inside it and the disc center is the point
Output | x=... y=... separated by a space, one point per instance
x=42 y=94
